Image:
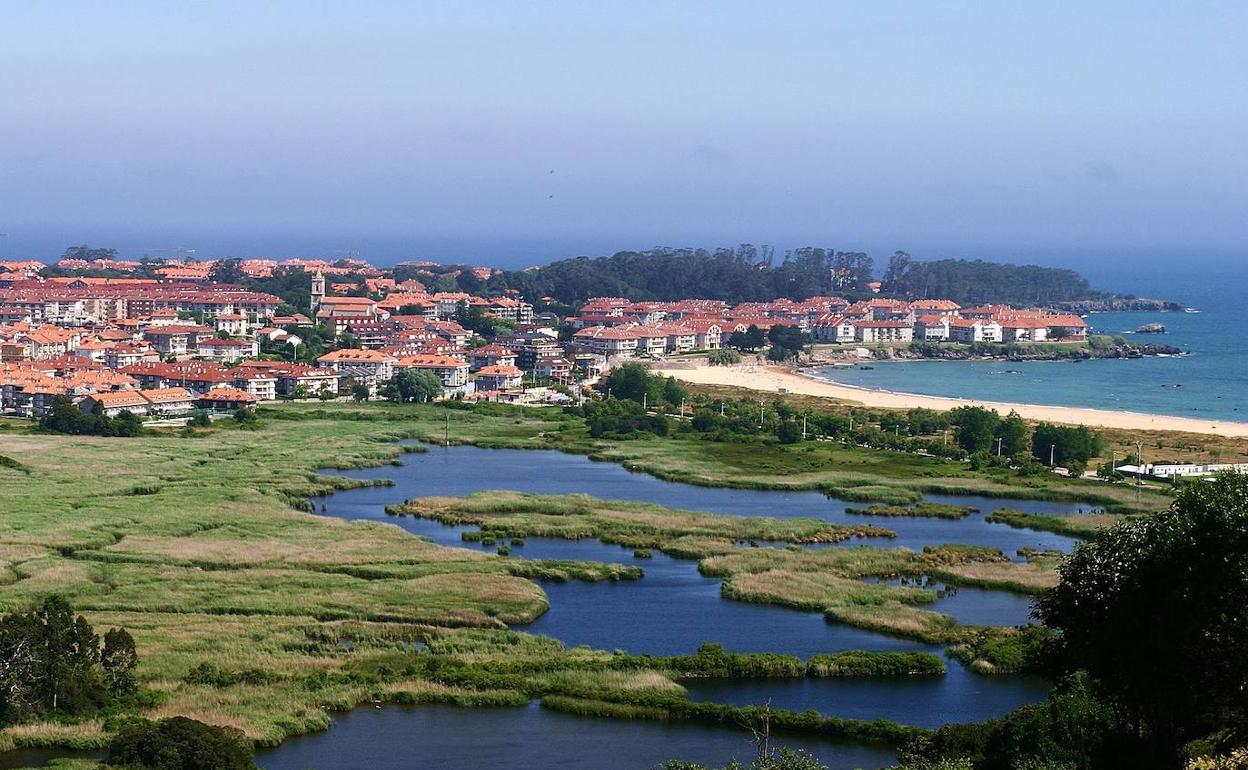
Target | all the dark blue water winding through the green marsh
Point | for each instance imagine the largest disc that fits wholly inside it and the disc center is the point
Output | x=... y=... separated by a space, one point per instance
x=670 y=612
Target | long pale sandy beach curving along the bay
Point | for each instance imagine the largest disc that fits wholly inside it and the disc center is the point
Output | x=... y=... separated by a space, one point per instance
x=774 y=380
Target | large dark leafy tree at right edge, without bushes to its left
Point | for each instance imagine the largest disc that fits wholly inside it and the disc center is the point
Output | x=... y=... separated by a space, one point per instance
x=1156 y=612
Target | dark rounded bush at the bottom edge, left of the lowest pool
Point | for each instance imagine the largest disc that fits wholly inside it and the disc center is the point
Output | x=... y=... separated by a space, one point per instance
x=180 y=744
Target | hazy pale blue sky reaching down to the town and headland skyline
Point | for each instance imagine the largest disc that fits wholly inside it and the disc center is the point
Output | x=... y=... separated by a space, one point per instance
x=519 y=133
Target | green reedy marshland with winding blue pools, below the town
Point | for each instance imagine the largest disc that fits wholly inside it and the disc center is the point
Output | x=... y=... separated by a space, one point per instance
x=269 y=555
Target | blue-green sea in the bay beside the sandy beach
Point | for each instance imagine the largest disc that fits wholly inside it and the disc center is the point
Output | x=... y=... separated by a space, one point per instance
x=1209 y=381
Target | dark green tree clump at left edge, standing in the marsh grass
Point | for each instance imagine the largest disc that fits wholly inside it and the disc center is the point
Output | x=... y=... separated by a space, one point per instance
x=53 y=663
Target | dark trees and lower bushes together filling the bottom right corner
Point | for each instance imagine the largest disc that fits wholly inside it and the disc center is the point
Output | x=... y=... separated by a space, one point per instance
x=1150 y=652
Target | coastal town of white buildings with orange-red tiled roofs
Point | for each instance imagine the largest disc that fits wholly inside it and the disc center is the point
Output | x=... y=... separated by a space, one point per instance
x=163 y=341
